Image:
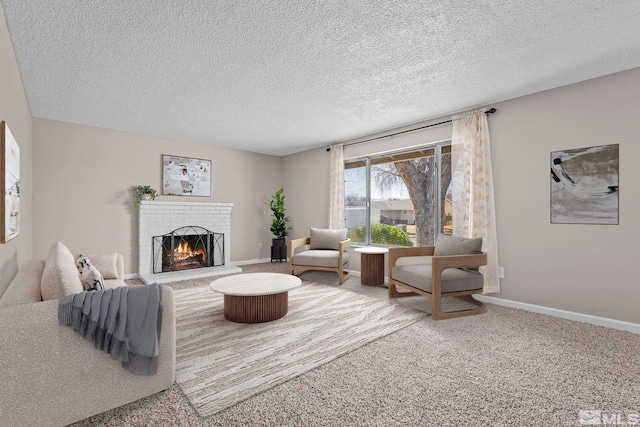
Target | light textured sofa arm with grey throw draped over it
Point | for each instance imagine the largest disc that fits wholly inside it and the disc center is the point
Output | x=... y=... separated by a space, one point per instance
x=52 y=376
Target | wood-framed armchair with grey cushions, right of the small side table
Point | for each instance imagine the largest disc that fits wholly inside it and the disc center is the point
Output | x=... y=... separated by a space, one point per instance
x=448 y=270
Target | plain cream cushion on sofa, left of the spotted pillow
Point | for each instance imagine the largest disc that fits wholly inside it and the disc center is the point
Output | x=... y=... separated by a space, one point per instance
x=60 y=276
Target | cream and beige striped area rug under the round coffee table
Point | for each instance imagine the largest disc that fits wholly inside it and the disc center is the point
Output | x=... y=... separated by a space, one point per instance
x=220 y=363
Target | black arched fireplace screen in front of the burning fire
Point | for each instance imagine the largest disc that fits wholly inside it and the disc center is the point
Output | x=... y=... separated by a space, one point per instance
x=186 y=248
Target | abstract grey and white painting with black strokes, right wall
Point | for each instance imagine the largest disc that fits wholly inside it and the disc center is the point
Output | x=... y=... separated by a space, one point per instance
x=584 y=185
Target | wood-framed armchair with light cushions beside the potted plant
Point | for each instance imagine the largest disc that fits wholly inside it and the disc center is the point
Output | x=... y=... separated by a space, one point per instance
x=323 y=250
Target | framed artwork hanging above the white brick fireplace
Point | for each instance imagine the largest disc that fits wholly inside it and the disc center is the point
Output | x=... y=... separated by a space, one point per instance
x=184 y=176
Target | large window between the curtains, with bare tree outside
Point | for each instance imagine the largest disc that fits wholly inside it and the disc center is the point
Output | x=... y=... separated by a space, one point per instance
x=401 y=198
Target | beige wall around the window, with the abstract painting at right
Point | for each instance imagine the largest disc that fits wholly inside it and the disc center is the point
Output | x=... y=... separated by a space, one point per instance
x=587 y=269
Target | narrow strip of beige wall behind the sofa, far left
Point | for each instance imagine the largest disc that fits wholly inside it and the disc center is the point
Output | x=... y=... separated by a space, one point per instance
x=14 y=109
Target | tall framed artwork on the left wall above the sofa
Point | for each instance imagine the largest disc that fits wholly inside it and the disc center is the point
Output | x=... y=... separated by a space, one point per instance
x=10 y=177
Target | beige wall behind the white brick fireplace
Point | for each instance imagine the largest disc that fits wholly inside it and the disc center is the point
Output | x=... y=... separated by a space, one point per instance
x=84 y=178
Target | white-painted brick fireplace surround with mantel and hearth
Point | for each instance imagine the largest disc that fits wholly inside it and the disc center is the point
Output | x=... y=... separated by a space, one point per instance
x=157 y=218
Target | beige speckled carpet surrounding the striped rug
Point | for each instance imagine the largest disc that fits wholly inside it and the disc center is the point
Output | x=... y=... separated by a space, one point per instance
x=507 y=367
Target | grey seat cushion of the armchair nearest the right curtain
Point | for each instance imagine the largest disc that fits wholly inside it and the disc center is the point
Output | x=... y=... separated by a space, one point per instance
x=452 y=280
